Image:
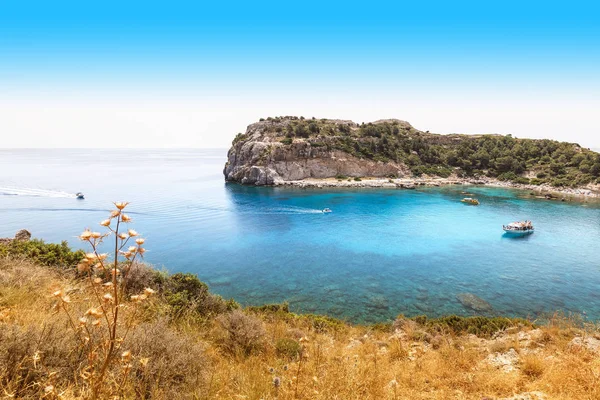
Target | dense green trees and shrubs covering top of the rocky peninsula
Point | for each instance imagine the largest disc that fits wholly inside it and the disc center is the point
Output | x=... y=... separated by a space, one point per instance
x=503 y=157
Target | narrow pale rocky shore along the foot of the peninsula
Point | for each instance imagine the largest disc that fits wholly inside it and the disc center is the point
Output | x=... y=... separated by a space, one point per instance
x=404 y=183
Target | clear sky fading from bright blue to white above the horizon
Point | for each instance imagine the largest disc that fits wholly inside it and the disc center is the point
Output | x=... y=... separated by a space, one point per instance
x=193 y=74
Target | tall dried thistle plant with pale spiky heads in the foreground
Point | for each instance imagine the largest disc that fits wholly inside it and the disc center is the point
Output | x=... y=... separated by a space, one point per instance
x=103 y=328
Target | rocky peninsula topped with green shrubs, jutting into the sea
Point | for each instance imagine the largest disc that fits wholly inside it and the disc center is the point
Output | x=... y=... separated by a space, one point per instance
x=392 y=153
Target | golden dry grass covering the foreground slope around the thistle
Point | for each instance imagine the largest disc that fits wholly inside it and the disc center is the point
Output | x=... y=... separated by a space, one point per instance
x=204 y=361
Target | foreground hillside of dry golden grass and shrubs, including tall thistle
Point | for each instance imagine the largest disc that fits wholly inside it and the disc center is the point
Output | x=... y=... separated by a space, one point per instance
x=77 y=325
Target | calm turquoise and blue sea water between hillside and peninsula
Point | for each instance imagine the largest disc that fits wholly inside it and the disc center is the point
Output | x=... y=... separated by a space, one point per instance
x=378 y=254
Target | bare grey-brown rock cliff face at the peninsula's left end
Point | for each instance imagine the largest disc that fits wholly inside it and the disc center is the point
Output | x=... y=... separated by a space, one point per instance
x=262 y=156
